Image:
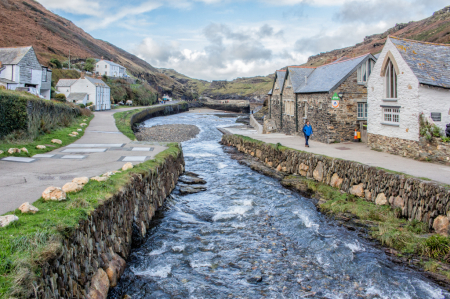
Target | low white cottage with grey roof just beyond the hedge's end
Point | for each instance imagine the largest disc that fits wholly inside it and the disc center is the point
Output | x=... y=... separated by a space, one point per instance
x=85 y=90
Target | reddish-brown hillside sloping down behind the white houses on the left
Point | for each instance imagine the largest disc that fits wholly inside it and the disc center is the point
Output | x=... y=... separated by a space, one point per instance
x=26 y=22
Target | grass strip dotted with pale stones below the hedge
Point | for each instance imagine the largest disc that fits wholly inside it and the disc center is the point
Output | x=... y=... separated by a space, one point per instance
x=62 y=134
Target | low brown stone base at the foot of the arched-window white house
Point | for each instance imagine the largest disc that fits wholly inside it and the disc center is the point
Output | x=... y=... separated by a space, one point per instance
x=424 y=150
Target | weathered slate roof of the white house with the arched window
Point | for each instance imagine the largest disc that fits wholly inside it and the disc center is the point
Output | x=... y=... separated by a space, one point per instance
x=429 y=62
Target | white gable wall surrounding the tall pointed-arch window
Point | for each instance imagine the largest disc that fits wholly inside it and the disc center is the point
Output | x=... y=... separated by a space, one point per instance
x=408 y=99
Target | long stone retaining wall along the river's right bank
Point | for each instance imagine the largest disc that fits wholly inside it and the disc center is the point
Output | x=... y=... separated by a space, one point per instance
x=414 y=198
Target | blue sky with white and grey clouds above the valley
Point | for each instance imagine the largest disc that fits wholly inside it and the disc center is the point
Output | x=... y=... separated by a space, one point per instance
x=226 y=39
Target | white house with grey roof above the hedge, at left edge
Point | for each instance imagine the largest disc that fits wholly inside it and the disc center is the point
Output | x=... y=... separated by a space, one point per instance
x=19 y=67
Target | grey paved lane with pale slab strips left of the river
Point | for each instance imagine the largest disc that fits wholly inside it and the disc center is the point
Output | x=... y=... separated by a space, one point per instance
x=102 y=148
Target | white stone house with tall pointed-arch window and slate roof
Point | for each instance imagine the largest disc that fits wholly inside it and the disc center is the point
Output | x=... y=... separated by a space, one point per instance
x=410 y=78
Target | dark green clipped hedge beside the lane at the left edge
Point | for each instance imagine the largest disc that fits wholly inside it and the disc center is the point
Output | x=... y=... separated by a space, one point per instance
x=25 y=113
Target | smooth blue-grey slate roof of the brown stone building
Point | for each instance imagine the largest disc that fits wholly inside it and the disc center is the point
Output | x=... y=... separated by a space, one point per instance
x=327 y=77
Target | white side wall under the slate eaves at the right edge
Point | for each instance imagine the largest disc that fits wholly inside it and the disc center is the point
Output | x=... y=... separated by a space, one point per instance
x=434 y=99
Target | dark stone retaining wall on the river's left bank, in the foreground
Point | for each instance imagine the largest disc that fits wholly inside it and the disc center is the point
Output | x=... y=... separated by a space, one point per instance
x=93 y=256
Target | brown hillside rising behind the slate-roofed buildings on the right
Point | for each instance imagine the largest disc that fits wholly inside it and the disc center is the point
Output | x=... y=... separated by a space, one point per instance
x=435 y=29
